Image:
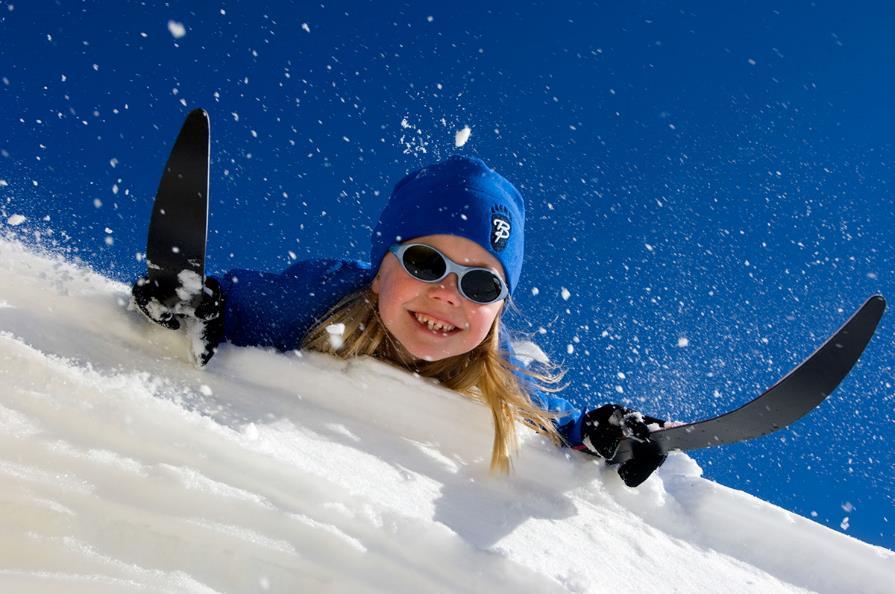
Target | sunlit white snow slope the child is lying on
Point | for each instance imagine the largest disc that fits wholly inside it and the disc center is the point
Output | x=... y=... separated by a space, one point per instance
x=123 y=468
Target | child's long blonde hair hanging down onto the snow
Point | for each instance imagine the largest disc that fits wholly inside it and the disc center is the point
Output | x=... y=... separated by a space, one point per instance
x=484 y=373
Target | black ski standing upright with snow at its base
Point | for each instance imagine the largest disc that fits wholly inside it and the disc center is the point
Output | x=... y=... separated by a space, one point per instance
x=175 y=247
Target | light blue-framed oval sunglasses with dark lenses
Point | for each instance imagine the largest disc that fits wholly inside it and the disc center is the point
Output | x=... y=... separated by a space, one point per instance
x=423 y=262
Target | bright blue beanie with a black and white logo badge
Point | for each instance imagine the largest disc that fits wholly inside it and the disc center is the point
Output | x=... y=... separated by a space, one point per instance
x=458 y=196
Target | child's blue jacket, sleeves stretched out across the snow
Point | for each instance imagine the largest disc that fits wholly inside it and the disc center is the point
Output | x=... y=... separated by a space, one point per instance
x=279 y=309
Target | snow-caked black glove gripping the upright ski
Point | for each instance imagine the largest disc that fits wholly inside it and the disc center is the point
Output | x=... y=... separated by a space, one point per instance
x=206 y=318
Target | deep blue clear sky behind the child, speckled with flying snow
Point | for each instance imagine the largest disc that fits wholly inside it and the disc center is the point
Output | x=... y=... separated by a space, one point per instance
x=715 y=171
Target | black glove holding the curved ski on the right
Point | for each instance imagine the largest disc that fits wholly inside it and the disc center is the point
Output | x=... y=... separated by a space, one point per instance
x=606 y=426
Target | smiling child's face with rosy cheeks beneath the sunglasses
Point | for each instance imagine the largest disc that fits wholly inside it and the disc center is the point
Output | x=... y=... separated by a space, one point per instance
x=407 y=304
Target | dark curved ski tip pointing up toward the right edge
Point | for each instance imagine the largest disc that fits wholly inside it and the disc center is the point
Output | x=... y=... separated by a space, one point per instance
x=791 y=398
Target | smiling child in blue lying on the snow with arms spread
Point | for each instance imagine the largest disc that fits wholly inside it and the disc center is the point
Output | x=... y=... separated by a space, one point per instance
x=446 y=254
